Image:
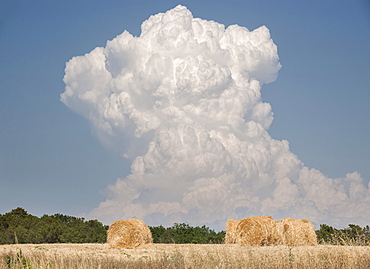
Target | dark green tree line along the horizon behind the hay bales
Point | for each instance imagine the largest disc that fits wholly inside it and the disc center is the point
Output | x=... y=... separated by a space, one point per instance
x=18 y=226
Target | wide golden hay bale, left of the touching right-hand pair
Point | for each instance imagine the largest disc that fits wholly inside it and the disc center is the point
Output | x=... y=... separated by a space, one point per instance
x=253 y=231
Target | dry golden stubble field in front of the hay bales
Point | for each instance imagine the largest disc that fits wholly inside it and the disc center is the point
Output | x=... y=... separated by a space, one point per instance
x=67 y=256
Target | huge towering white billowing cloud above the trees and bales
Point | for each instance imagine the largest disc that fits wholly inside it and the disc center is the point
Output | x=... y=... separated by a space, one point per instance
x=183 y=102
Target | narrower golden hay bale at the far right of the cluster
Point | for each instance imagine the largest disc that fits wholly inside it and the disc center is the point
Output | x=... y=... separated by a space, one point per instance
x=298 y=232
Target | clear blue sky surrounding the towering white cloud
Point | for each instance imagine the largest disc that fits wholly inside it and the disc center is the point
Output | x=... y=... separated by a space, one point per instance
x=50 y=160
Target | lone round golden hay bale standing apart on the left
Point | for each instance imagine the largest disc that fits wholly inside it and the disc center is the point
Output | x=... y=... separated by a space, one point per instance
x=130 y=233
